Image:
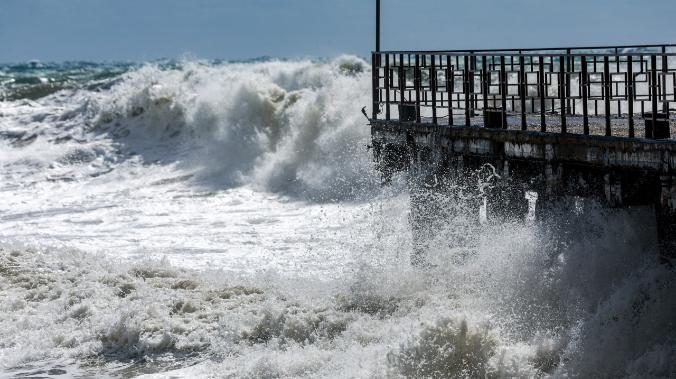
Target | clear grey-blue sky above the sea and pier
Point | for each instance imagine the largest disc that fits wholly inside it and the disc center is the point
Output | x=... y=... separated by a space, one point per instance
x=139 y=30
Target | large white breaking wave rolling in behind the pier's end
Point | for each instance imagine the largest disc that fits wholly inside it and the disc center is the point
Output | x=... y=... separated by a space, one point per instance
x=284 y=126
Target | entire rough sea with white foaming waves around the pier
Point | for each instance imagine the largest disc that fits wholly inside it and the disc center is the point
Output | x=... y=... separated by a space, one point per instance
x=216 y=219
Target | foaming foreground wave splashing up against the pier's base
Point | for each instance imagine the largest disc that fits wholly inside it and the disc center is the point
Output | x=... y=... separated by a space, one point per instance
x=516 y=304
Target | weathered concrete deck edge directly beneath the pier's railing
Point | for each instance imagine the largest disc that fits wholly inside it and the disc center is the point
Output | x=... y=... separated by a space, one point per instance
x=590 y=150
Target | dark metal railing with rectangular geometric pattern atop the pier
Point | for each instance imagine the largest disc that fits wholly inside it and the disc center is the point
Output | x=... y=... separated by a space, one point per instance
x=607 y=90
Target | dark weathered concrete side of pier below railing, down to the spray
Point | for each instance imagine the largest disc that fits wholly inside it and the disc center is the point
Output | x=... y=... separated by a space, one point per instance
x=619 y=171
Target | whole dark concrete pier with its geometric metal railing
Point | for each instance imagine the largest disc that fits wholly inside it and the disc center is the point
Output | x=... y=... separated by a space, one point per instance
x=578 y=122
